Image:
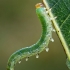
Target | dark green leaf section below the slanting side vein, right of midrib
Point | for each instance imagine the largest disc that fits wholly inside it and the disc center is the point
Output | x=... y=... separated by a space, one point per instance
x=65 y=29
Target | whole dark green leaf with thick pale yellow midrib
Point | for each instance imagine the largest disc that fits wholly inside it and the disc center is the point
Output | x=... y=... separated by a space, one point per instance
x=61 y=10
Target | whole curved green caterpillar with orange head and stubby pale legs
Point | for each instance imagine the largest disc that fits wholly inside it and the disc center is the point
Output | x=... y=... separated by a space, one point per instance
x=41 y=44
